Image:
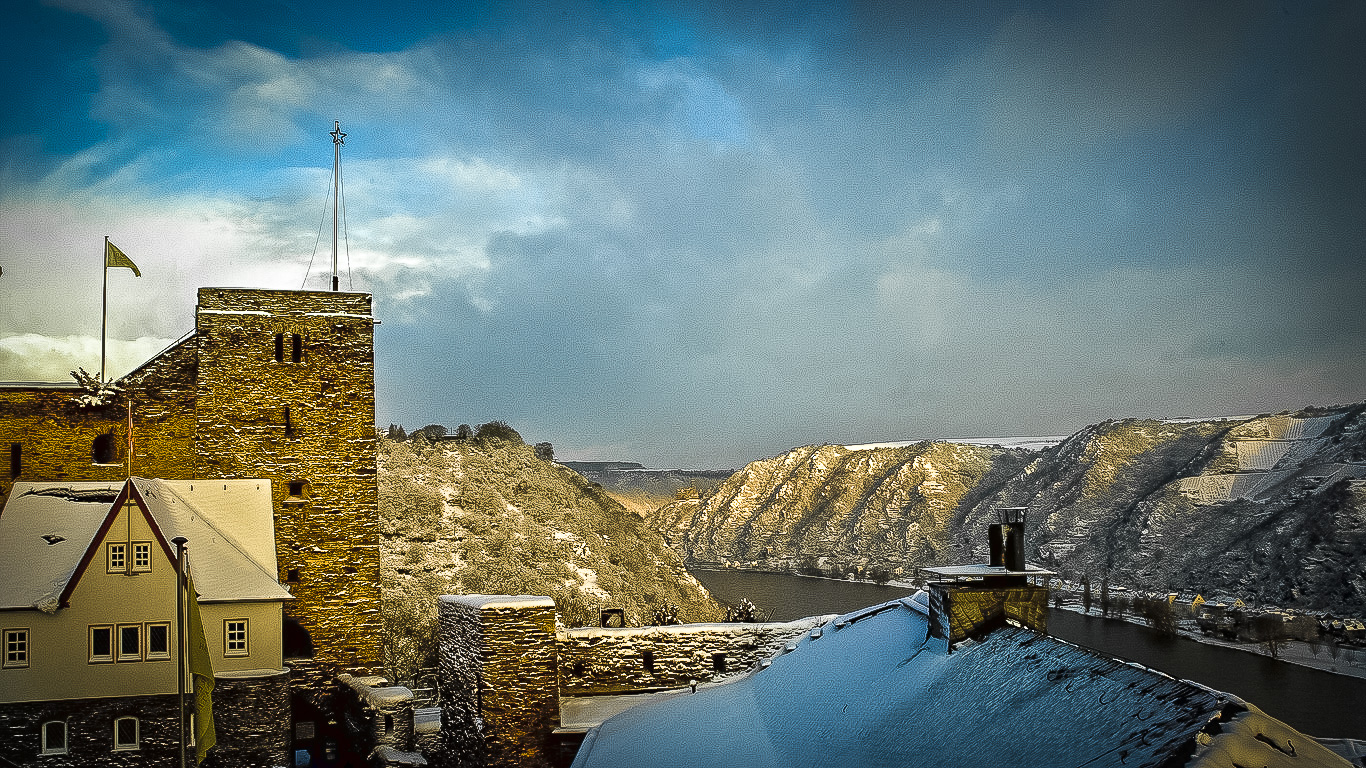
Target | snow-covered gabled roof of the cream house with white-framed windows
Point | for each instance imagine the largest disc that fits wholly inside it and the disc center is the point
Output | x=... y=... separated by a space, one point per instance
x=50 y=534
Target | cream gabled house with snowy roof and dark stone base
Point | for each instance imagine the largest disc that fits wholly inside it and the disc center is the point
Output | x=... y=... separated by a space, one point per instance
x=88 y=613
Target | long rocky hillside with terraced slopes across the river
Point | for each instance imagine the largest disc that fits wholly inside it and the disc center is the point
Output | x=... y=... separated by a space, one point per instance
x=1271 y=509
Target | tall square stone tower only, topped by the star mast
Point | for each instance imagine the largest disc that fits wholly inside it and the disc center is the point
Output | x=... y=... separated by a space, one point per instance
x=285 y=390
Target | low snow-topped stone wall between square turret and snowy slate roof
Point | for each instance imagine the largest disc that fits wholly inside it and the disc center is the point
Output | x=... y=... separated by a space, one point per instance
x=639 y=659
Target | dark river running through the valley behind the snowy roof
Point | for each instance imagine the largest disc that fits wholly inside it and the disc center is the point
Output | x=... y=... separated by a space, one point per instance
x=1318 y=703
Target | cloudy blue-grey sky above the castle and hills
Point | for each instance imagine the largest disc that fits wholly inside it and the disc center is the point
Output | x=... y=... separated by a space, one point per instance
x=695 y=236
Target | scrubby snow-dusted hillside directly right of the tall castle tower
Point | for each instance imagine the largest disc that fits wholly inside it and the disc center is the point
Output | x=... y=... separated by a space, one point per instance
x=491 y=517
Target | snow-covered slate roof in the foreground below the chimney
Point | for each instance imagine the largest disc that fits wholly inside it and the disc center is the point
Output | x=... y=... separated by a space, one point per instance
x=875 y=689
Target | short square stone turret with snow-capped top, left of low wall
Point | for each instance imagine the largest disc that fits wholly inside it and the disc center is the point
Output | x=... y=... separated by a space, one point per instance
x=498 y=672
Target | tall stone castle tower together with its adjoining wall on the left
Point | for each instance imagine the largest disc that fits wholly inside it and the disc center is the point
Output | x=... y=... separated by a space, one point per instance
x=271 y=385
